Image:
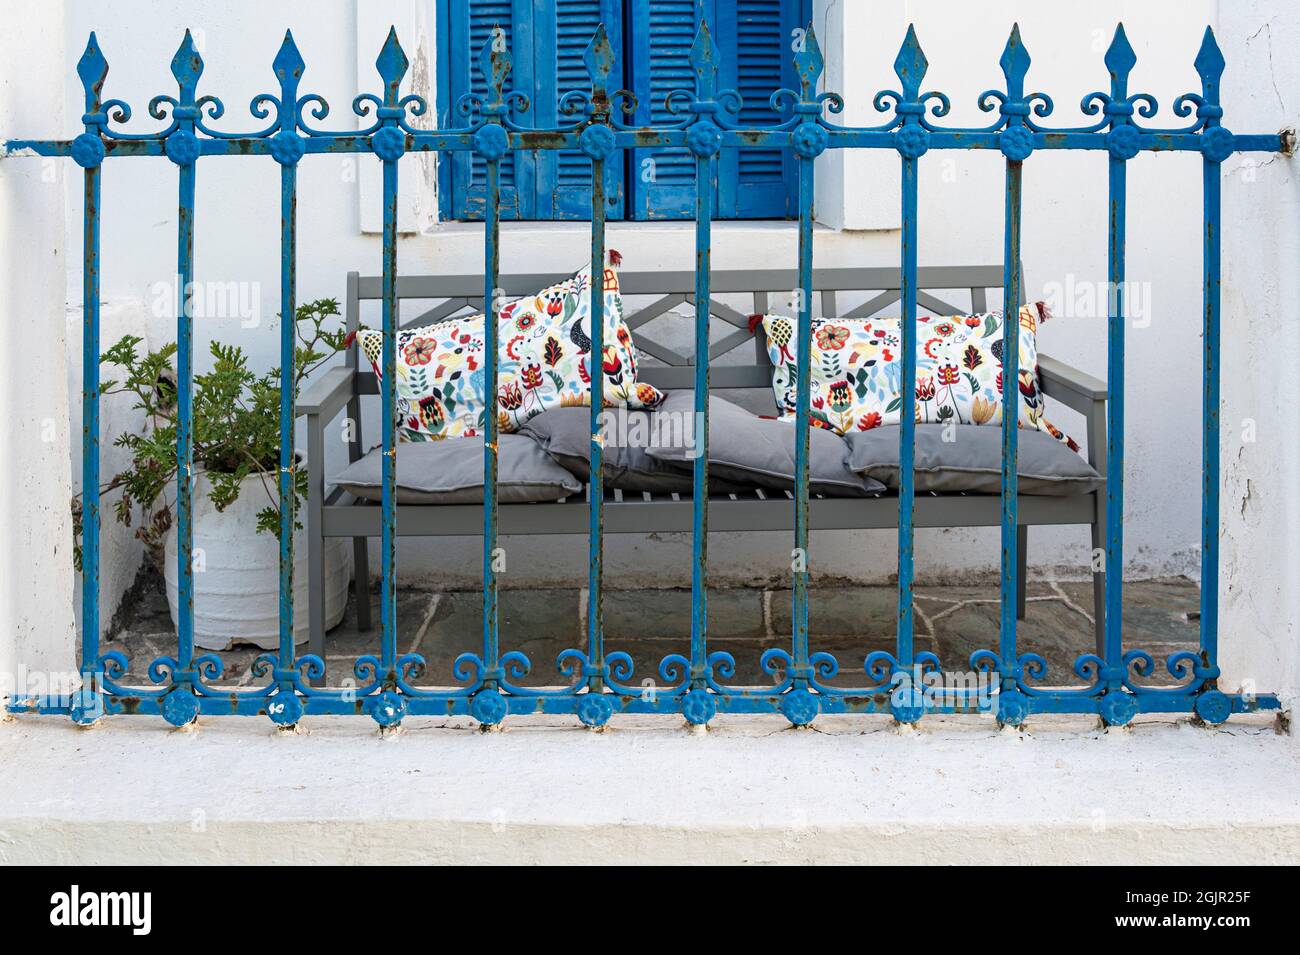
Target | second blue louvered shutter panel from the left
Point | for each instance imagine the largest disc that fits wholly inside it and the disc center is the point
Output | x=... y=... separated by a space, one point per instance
x=562 y=32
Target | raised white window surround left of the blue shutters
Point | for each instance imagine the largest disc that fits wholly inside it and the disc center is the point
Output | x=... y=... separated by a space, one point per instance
x=418 y=194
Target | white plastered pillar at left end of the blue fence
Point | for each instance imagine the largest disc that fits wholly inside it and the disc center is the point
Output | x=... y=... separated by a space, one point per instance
x=36 y=526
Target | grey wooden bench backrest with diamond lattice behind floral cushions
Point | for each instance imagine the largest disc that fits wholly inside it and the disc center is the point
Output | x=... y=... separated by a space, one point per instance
x=768 y=290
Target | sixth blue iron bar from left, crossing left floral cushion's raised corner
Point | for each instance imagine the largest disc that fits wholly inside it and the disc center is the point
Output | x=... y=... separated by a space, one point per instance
x=596 y=532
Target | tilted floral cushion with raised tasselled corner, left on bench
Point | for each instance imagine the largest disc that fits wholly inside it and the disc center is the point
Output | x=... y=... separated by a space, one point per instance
x=545 y=362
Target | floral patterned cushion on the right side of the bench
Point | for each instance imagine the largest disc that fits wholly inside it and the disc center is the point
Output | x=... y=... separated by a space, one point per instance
x=857 y=366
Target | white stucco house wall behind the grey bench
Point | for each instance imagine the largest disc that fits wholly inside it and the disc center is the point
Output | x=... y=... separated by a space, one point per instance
x=961 y=220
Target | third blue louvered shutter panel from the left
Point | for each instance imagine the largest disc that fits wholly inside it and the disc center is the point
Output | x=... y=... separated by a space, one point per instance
x=662 y=183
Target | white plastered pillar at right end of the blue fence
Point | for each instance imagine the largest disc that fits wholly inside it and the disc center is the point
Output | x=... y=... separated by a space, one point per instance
x=1262 y=310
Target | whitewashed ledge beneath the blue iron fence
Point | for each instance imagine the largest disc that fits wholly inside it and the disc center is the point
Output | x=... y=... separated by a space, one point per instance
x=751 y=791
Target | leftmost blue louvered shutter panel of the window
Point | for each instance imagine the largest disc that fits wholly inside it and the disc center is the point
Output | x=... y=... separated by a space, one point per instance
x=473 y=23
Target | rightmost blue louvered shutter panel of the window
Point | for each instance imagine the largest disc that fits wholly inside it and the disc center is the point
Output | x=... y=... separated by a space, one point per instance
x=756 y=40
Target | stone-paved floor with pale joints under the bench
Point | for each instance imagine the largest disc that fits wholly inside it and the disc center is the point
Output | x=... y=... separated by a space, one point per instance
x=1160 y=617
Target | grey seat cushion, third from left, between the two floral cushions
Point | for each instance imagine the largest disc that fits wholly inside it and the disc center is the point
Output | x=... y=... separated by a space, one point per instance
x=755 y=452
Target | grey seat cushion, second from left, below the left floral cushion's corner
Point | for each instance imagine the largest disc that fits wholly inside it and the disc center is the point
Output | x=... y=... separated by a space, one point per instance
x=566 y=436
